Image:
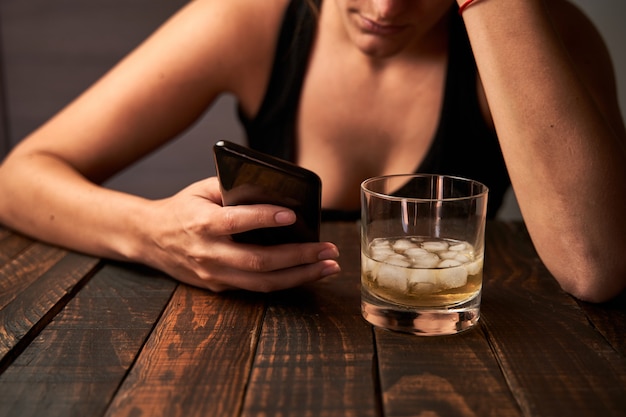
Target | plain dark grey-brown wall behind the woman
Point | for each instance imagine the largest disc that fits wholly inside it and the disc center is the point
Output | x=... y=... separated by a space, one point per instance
x=51 y=50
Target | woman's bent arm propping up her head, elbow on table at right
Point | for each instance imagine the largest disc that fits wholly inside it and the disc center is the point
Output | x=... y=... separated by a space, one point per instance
x=551 y=92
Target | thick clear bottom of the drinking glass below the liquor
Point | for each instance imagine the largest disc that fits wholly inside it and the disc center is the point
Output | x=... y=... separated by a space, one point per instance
x=423 y=321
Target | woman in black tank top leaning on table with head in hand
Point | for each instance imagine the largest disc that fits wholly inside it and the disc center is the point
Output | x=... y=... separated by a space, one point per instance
x=349 y=89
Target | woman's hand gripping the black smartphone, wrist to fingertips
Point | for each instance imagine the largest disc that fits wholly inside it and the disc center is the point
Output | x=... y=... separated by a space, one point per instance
x=190 y=240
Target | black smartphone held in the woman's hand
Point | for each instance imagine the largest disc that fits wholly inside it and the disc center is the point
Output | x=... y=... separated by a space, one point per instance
x=247 y=176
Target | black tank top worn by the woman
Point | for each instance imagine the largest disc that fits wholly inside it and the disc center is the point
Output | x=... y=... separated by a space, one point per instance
x=463 y=145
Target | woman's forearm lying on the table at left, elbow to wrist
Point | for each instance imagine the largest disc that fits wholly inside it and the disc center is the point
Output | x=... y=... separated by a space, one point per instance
x=45 y=198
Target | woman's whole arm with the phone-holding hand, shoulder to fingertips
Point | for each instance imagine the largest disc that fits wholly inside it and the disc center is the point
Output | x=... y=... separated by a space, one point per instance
x=48 y=182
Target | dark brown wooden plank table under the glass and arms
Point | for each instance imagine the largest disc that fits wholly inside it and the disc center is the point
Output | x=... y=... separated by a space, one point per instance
x=87 y=337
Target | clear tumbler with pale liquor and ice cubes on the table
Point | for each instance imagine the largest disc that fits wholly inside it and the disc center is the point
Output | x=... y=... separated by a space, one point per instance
x=422 y=252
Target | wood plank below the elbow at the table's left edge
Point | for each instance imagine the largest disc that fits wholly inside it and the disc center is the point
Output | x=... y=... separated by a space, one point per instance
x=33 y=288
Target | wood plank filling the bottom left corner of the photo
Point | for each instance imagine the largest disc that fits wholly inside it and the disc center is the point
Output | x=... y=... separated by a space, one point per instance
x=75 y=365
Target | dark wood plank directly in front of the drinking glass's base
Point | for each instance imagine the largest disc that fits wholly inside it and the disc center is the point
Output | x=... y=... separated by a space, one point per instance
x=441 y=376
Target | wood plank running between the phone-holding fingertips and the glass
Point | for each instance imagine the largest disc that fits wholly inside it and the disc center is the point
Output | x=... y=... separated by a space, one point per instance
x=316 y=352
